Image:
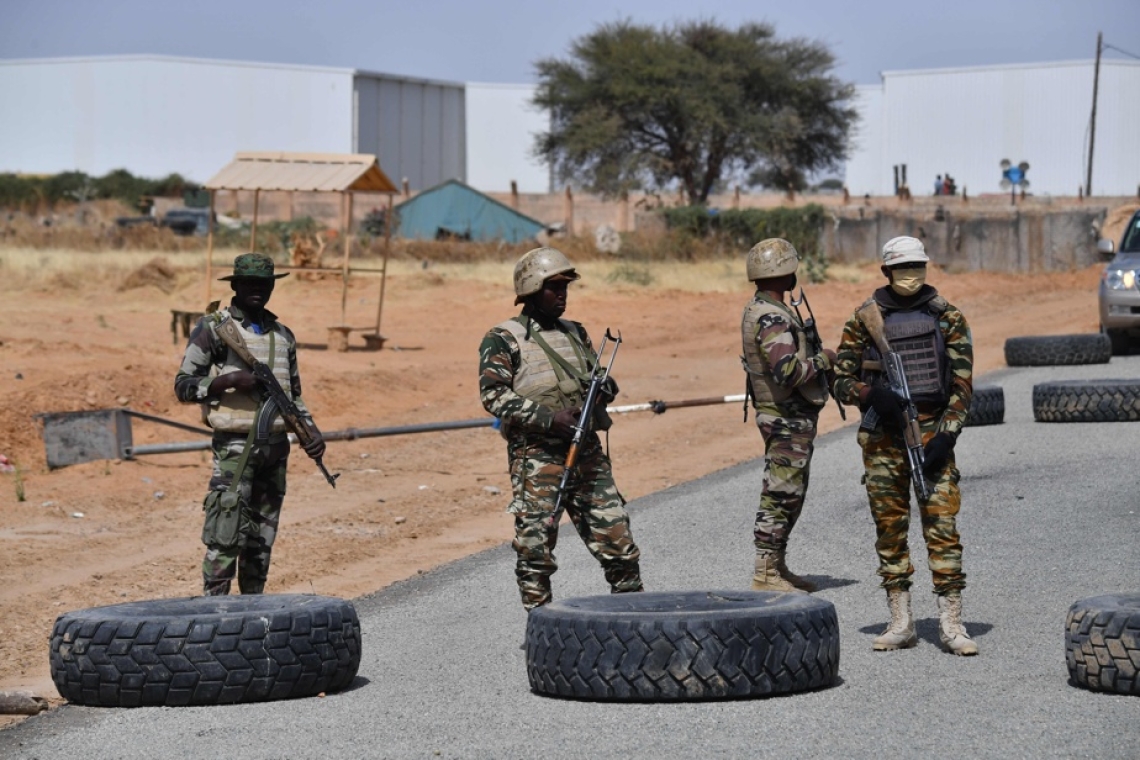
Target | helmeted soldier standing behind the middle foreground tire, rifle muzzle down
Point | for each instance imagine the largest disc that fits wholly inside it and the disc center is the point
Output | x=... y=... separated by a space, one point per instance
x=534 y=371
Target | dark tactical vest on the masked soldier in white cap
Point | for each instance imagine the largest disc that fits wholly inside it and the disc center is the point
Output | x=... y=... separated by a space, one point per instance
x=919 y=342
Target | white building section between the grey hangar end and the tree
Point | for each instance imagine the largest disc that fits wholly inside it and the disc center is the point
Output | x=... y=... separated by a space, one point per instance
x=502 y=126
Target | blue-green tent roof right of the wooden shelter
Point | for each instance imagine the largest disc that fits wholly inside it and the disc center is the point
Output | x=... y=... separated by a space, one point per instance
x=457 y=209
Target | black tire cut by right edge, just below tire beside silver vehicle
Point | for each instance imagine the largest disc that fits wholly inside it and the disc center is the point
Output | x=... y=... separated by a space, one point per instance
x=1087 y=402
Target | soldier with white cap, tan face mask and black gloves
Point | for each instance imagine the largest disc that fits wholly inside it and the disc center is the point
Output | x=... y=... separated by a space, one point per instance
x=933 y=340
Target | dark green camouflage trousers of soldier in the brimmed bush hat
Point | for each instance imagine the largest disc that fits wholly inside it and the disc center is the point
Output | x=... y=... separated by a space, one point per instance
x=262 y=493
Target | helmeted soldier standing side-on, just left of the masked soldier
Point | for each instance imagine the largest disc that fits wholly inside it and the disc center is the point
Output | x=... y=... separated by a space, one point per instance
x=788 y=387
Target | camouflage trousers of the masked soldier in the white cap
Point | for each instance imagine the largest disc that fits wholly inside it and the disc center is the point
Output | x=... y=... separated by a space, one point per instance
x=889 y=489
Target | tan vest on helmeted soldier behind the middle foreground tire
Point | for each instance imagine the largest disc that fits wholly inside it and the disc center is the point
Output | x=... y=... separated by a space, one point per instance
x=539 y=379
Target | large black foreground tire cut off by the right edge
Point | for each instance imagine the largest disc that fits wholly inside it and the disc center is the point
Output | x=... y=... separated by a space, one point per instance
x=1103 y=643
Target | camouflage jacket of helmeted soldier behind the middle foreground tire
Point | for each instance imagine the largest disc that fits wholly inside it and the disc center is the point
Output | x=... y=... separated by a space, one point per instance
x=500 y=359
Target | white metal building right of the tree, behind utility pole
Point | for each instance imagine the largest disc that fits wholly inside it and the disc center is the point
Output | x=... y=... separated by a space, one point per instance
x=966 y=121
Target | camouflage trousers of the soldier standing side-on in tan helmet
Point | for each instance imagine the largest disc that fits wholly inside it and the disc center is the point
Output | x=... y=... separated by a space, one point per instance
x=788 y=446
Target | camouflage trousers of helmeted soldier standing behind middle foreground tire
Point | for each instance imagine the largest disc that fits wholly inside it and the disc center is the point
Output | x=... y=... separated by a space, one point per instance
x=596 y=508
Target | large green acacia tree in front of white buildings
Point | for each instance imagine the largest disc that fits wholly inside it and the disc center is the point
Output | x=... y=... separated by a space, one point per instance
x=637 y=108
